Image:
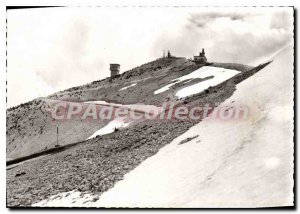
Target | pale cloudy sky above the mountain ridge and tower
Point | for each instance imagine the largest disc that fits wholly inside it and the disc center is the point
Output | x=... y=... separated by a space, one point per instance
x=52 y=49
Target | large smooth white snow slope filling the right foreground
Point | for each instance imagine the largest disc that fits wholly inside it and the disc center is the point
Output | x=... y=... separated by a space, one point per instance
x=231 y=163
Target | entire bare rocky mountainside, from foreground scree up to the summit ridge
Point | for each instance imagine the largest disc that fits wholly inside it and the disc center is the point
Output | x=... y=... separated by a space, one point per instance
x=95 y=165
